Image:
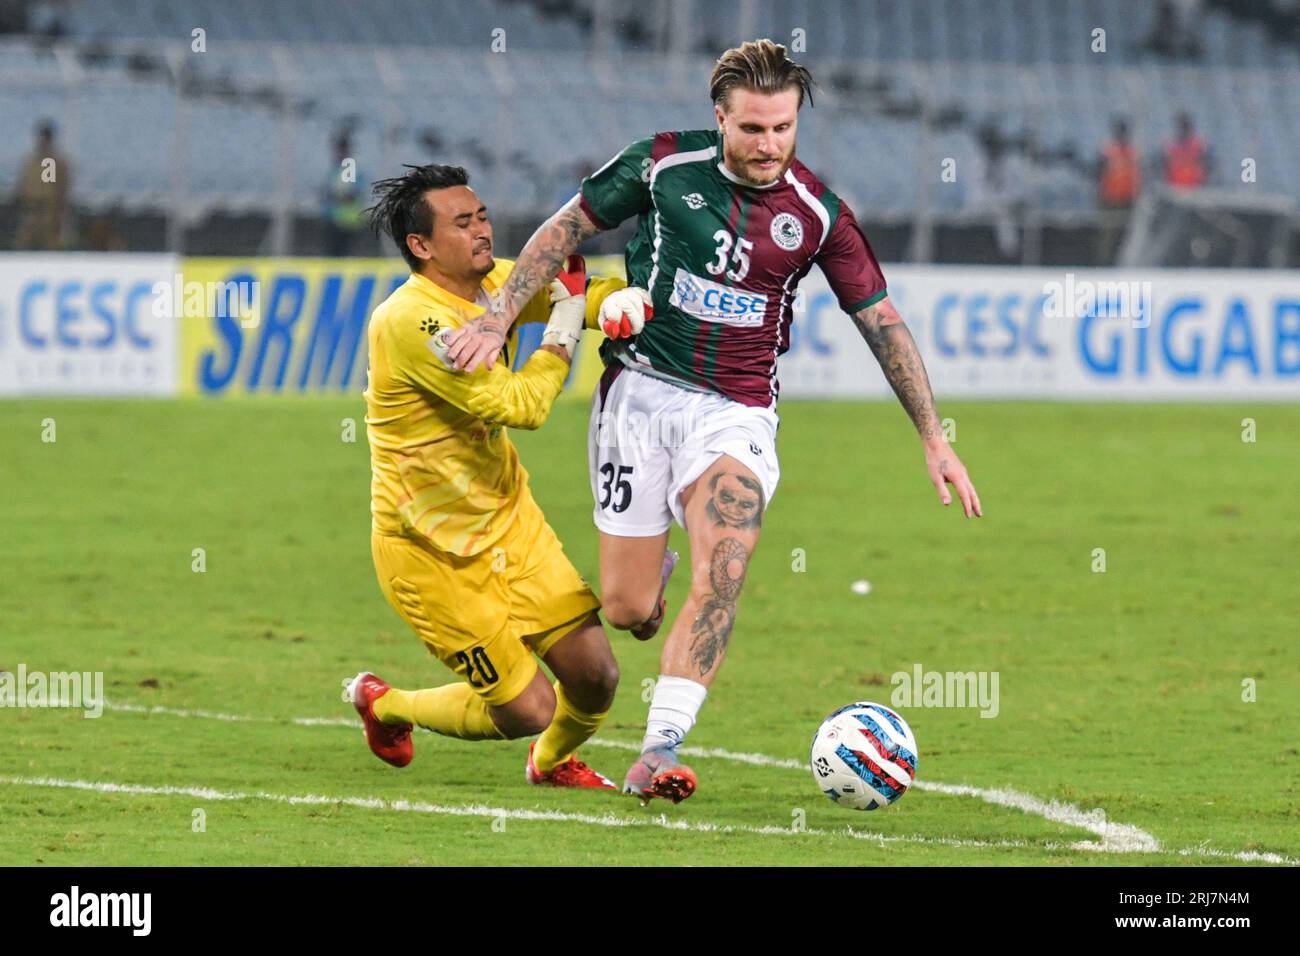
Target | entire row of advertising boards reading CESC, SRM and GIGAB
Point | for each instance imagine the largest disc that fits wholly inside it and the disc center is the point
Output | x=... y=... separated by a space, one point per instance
x=163 y=326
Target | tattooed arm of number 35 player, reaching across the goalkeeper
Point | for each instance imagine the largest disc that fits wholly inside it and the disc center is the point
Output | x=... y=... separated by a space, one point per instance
x=538 y=265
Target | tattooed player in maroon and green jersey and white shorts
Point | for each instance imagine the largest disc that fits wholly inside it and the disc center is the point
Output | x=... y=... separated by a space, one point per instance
x=729 y=222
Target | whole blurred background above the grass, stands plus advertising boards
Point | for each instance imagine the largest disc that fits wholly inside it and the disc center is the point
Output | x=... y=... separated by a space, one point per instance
x=994 y=152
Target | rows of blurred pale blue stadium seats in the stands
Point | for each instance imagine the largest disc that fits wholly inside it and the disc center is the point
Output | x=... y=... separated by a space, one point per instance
x=417 y=81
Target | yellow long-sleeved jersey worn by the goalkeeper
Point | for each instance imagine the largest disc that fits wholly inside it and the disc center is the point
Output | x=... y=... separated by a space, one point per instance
x=441 y=464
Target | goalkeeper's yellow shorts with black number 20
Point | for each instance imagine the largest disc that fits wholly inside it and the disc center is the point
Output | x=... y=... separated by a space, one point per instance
x=487 y=616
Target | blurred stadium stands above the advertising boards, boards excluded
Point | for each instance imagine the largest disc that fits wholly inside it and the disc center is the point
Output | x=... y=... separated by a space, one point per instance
x=235 y=150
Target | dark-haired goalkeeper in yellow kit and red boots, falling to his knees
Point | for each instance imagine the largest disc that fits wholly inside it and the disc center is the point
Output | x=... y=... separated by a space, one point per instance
x=461 y=550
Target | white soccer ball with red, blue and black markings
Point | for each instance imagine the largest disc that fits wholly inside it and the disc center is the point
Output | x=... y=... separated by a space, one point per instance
x=864 y=756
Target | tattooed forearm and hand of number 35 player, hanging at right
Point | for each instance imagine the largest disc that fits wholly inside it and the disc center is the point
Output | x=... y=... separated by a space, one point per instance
x=896 y=351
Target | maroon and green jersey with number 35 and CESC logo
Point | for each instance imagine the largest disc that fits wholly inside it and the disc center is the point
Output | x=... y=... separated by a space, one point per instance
x=723 y=261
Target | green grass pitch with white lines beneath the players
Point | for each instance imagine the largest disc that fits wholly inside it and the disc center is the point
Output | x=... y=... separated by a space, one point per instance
x=1121 y=693
